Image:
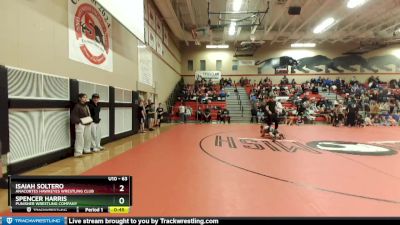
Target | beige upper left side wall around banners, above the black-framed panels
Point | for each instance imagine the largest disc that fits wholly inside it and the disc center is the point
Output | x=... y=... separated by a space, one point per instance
x=34 y=36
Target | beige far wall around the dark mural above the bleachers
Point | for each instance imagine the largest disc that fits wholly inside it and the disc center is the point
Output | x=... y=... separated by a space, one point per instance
x=389 y=56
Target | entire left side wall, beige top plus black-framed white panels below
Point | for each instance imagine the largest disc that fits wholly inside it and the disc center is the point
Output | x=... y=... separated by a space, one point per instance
x=39 y=81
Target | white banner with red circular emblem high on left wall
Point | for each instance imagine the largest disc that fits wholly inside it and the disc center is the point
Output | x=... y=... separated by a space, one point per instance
x=90 y=34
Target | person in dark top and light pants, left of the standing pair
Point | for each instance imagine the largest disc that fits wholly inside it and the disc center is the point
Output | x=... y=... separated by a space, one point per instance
x=80 y=117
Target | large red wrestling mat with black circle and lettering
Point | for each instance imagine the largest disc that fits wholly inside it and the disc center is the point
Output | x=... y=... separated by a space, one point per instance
x=227 y=170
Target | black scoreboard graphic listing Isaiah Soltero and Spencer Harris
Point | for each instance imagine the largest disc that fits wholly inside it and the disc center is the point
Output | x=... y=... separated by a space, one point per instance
x=75 y=194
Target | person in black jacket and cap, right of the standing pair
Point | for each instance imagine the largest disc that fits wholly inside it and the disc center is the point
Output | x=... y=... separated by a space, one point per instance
x=94 y=108
